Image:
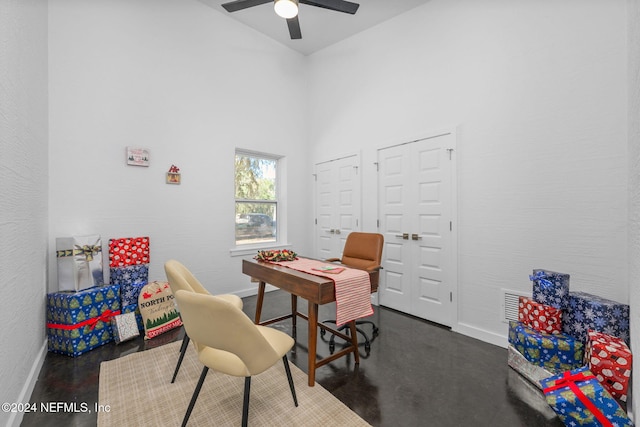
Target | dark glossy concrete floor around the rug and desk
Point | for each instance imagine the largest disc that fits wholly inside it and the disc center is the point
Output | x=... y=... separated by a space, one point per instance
x=416 y=374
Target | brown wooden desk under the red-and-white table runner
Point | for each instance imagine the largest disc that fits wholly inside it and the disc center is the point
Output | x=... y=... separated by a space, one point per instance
x=316 y=290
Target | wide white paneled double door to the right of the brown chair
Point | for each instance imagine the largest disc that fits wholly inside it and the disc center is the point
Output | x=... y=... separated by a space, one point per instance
x=416 y=208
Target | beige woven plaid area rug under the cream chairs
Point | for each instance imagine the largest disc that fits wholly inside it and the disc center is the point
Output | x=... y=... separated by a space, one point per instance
x=136 y=390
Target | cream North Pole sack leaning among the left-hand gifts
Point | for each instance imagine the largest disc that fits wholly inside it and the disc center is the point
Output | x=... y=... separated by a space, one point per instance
x=158 y=309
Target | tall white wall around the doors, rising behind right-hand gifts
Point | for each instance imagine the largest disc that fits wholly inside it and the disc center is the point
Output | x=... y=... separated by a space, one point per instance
x=537 y=93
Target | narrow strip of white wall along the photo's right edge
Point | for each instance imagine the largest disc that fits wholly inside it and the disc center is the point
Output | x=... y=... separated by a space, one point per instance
x=633 y=49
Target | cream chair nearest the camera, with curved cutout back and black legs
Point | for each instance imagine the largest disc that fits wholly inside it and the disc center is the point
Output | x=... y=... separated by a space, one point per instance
x=230 y=343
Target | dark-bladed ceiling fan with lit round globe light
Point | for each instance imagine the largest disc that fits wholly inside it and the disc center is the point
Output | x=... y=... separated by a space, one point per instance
x=288 y=9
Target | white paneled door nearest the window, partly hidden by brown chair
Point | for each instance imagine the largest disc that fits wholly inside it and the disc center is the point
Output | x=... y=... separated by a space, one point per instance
x=337 y=204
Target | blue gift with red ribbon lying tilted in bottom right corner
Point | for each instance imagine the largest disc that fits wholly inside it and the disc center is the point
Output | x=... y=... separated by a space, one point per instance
x=580 y=400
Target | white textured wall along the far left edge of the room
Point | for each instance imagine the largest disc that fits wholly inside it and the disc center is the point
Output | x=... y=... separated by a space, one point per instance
x=23 y=189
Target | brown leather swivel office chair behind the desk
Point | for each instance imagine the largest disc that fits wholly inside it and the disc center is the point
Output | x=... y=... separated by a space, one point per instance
x=363 y=251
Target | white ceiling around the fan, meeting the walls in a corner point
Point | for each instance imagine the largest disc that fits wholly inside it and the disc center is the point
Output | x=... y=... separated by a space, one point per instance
x=320 y=27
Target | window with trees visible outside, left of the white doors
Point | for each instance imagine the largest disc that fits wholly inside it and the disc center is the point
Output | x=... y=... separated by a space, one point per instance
x=256 y=198
